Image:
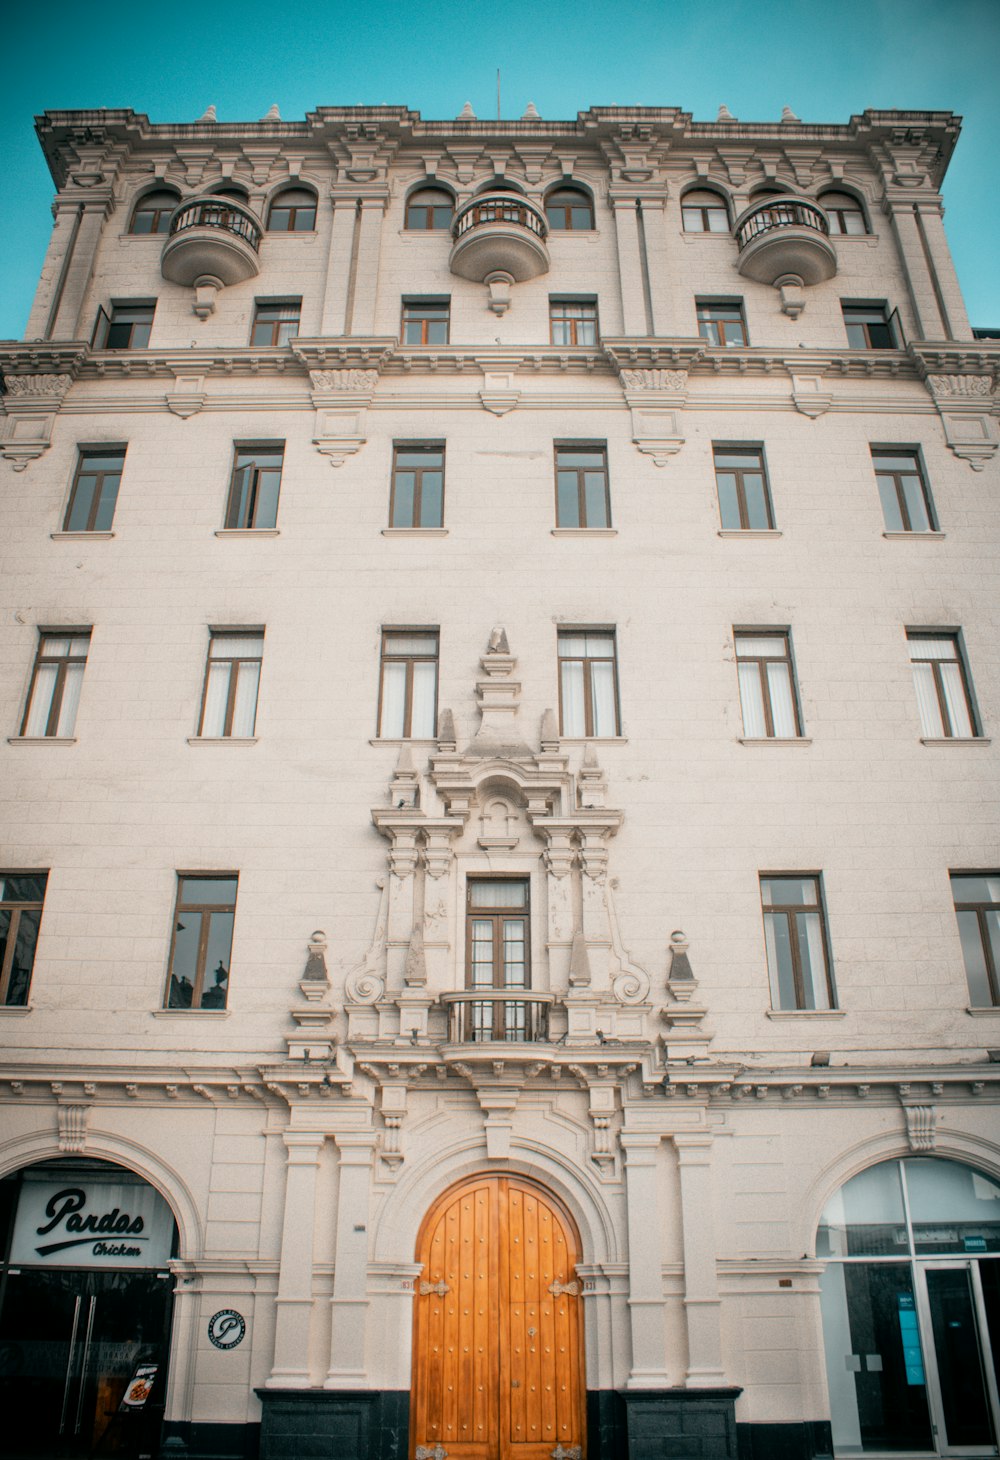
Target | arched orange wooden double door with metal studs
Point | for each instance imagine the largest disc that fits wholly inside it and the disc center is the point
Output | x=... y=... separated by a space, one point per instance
x=499 y=1369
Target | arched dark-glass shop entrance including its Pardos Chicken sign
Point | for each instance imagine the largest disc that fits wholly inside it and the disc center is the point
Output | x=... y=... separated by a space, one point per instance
x=85 y=1310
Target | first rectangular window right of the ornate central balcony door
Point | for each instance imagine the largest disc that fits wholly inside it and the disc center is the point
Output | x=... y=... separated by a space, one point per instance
x=795 y=934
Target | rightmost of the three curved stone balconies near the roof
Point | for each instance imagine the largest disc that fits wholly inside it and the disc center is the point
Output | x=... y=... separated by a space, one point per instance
x=785 y=237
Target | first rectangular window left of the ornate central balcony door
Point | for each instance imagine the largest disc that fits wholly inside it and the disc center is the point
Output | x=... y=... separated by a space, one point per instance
x=202 y=944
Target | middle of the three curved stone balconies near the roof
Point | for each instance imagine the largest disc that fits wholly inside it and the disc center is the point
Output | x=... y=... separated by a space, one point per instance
x=500 y=234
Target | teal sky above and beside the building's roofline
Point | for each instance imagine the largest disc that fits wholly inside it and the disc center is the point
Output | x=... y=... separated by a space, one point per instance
x=824 y=61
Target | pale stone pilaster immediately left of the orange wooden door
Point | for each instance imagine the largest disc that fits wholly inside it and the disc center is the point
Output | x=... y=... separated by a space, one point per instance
x=350 y=1302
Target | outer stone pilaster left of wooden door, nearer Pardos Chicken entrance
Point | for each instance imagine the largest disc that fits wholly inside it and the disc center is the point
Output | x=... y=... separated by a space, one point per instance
x=294 y=1302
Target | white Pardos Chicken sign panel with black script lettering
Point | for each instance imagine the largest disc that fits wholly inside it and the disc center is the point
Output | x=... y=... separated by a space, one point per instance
x=91 y=1221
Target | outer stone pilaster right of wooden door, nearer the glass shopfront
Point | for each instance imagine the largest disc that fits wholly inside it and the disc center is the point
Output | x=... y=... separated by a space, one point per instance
x=701 y=1284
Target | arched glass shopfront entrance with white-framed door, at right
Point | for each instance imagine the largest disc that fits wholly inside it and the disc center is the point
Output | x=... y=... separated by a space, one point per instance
x=912 y=1310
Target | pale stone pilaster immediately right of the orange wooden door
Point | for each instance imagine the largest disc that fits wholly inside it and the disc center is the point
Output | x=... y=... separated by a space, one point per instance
x=646 y=1262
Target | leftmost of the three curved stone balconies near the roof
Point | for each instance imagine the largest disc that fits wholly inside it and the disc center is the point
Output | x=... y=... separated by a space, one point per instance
x=211 y=239
